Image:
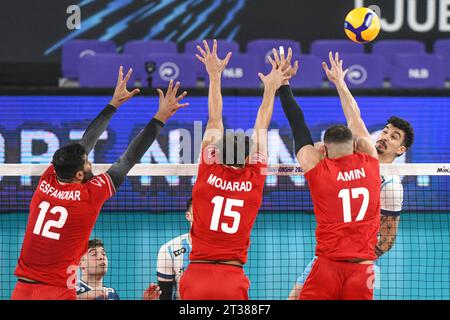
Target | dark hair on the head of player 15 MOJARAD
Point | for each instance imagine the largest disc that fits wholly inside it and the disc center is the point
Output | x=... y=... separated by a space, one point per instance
x=237 y=144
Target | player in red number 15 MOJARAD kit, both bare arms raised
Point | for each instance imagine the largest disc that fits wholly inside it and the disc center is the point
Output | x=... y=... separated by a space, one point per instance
x=228 y=192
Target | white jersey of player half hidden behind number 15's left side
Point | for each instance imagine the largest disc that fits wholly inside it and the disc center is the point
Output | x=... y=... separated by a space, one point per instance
x=173 y=259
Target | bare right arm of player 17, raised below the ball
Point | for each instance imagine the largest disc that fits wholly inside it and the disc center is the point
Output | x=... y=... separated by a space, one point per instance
x=336 y=75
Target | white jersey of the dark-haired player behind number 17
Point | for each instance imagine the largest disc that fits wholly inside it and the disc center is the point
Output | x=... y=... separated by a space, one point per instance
x=391 y=196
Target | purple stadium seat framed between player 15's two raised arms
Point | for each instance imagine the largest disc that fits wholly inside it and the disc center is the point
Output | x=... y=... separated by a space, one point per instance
x=241 y=72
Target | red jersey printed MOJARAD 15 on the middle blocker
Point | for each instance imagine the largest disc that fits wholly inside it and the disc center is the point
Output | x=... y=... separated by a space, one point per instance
x=225 y=203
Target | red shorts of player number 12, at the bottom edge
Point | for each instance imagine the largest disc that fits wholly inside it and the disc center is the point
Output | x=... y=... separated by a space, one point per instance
x=40 y=291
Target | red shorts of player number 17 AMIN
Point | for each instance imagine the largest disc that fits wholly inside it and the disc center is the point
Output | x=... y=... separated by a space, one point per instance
x=335 y=280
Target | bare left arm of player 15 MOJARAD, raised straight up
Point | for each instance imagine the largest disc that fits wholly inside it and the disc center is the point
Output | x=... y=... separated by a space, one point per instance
x=214 y=67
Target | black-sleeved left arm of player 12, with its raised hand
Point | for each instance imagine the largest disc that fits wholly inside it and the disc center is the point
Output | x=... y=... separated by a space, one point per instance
x=100 y=123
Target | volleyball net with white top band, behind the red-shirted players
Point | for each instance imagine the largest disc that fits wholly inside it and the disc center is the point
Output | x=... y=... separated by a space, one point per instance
x=149 y=210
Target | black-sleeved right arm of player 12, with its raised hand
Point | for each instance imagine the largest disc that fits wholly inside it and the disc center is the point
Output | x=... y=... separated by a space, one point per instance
x=168 y=105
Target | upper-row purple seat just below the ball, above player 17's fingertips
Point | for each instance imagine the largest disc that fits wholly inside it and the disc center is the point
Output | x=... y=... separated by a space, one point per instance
x=321 y=48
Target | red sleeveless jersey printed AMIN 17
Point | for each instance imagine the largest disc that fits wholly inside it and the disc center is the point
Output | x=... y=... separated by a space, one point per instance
x=346 y=197
